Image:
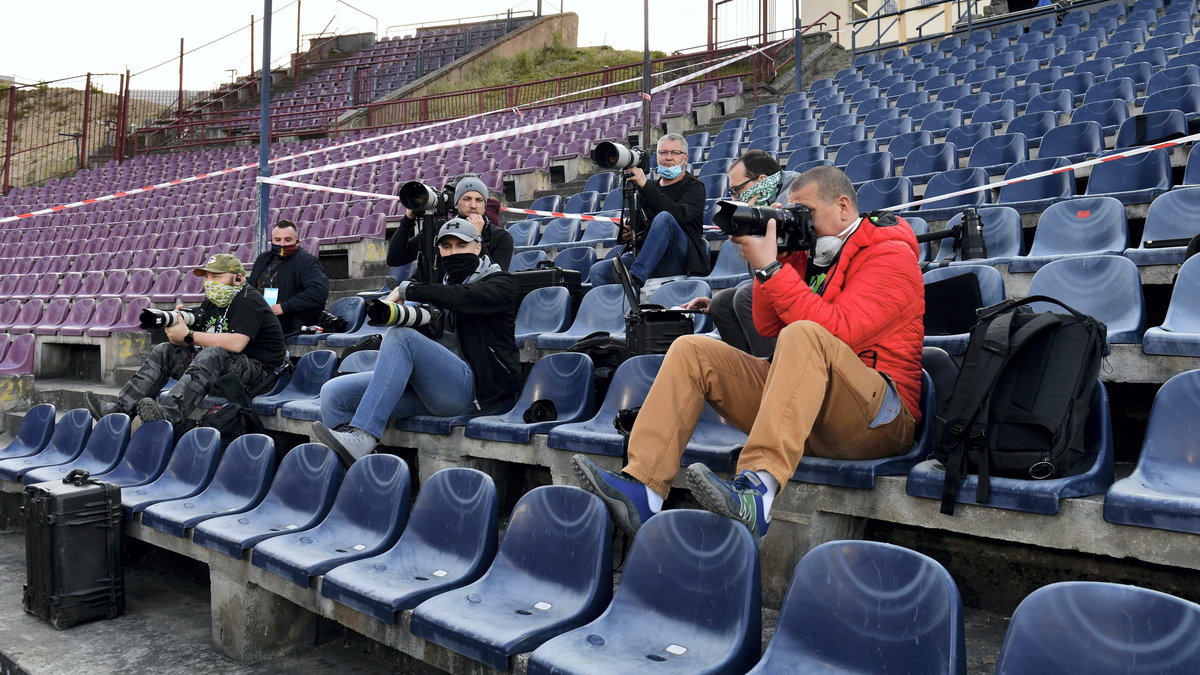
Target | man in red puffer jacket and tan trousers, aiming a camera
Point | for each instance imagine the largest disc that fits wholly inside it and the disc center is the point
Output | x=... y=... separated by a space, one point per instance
x=844 y=381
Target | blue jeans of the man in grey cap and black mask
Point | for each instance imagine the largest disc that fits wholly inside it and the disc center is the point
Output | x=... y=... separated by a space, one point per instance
x=415 y=375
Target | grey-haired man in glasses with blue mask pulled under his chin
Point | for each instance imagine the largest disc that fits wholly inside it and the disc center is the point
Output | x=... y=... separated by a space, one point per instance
x=669 y=236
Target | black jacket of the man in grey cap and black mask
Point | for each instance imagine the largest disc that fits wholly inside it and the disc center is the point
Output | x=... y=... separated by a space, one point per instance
x=483 y=314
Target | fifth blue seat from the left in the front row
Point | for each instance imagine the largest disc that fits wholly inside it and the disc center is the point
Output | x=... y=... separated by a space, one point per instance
x=189 y=471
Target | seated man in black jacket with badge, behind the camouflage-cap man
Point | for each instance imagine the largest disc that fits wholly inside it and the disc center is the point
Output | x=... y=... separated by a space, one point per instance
x=291 y=280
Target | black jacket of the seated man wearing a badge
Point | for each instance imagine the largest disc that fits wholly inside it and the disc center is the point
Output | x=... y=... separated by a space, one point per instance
x=304 y=288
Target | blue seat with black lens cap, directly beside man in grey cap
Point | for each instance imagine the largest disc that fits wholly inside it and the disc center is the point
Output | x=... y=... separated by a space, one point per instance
x=565 y=380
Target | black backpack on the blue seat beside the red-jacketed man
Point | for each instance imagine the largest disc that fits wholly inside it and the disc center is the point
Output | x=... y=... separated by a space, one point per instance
x=1019 y=408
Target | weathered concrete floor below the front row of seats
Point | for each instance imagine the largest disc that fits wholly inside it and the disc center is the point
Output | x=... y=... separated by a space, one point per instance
x=166 y=631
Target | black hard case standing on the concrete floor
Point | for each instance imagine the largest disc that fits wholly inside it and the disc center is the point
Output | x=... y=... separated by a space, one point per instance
x=74 y=551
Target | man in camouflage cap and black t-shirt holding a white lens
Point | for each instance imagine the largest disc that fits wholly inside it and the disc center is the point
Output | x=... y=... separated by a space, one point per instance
x=233 y=332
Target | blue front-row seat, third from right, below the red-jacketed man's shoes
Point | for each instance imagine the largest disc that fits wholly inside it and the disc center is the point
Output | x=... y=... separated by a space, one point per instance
x=688 y=602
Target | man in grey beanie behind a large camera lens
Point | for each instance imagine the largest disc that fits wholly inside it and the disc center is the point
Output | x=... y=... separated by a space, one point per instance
x=471 y=204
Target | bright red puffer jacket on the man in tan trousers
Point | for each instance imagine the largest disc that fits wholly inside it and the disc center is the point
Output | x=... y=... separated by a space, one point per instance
x=874 y=301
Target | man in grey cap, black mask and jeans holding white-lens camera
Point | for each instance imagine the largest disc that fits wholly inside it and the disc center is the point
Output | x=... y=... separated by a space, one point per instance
x=449 y=356
